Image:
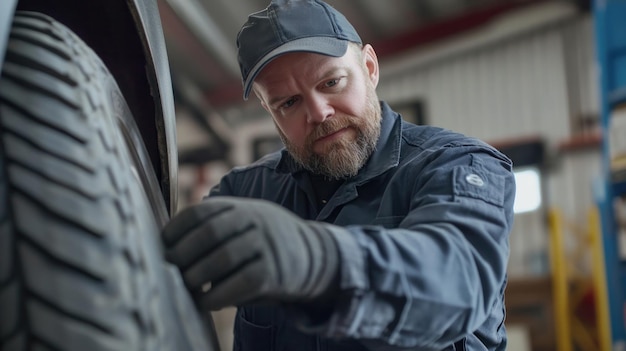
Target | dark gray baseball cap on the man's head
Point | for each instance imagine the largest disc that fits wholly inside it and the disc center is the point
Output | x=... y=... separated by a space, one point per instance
x=291 y=26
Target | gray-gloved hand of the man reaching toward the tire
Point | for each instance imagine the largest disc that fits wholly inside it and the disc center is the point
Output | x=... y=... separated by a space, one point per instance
x=250 y=250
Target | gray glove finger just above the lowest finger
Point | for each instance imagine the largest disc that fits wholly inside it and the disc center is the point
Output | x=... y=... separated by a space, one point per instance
x=232 y=254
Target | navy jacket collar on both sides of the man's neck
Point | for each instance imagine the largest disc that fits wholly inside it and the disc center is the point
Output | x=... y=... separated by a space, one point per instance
x=385 y=156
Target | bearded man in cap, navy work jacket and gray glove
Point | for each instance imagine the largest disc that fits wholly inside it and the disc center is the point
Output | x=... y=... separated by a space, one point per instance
x=364 y=233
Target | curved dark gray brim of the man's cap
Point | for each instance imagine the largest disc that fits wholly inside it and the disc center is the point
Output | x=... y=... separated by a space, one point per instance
x=320 y=45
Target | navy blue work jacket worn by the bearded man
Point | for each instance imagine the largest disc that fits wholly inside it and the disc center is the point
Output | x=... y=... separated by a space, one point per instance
x=425 y=267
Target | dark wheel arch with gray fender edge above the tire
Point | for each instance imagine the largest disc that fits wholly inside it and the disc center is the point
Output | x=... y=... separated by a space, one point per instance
x=127 y=35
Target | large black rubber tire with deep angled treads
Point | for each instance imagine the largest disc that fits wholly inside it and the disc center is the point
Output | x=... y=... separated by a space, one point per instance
x=80 y=261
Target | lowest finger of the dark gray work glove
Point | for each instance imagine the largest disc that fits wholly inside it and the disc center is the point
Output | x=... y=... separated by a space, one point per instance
x=247 y=284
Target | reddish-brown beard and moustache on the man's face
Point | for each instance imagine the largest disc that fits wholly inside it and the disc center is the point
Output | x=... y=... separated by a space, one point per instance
x=342 y=158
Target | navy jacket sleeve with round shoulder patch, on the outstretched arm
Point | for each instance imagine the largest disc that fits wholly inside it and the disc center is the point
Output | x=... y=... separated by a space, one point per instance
x=436 y=277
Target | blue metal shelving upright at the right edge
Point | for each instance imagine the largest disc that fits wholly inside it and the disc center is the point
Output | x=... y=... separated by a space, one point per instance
x=610 y=35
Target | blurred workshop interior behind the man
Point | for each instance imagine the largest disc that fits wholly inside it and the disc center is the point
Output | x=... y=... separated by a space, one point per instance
x=523 y=75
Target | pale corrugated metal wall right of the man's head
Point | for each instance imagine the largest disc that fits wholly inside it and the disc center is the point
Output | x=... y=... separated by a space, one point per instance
x=507 y=90
